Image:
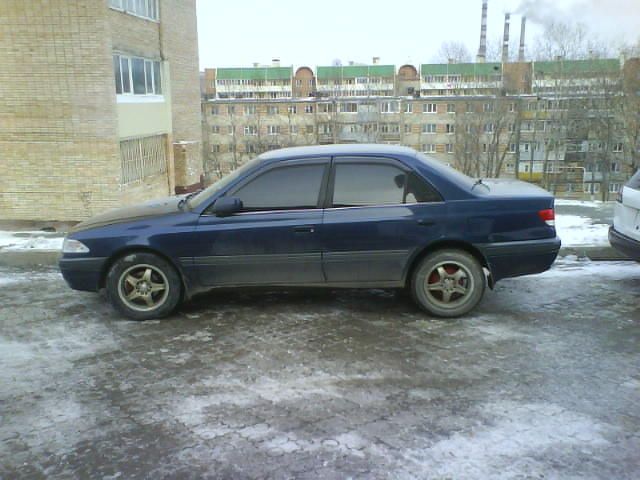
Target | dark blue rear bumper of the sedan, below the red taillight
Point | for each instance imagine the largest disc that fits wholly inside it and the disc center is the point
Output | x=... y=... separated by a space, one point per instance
x=513 y=259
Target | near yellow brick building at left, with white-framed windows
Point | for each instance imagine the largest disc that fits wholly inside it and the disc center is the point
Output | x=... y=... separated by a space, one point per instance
x=99 y=105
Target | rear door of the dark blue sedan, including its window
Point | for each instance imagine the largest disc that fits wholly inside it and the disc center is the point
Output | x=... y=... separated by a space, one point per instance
x=379 y=213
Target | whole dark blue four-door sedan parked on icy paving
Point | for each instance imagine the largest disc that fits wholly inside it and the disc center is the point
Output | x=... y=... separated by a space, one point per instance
x=356 y=216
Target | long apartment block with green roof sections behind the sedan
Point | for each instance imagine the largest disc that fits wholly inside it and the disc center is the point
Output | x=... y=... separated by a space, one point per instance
x=554 y=122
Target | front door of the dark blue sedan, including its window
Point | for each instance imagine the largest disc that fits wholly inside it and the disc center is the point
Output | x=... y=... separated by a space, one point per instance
x=275 y=239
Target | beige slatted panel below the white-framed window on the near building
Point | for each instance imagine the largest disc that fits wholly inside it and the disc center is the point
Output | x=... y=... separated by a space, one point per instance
x=142 y=157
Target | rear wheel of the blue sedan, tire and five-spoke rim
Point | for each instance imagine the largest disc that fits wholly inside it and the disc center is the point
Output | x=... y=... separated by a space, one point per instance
x=448 y=283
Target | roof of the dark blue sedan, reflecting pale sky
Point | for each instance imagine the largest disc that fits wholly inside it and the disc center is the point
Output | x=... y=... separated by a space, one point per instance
x=334 y=150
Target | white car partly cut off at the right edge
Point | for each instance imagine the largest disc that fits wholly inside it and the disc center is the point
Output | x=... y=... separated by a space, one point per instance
x=624 y=235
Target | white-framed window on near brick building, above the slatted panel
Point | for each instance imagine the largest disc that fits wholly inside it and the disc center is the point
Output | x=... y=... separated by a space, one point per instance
x=138 y=76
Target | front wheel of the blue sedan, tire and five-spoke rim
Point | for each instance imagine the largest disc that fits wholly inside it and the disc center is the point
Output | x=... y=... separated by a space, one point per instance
x=142 y=286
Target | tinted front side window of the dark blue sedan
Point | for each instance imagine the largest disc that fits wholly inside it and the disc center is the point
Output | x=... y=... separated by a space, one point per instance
x=283 y=188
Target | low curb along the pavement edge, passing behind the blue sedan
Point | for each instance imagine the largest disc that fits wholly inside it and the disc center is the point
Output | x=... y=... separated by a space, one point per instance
x=50 y=258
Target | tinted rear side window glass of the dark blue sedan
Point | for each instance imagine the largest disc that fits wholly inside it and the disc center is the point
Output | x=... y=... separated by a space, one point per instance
x=362 y=184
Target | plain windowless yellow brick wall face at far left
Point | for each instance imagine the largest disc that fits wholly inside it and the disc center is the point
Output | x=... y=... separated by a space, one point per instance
x=58 y=146
